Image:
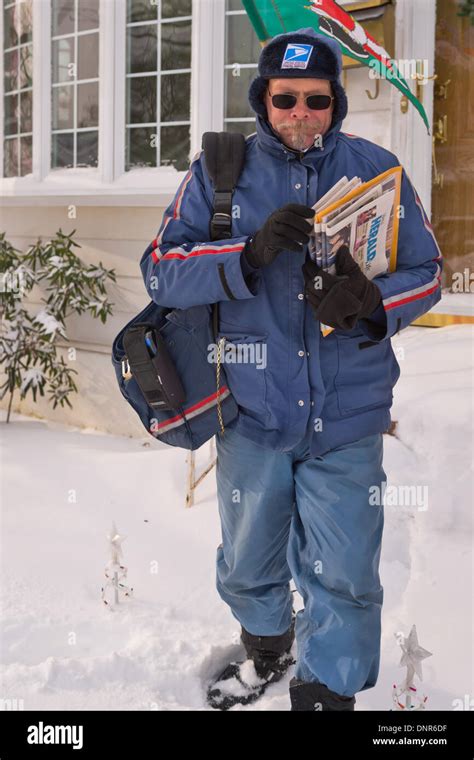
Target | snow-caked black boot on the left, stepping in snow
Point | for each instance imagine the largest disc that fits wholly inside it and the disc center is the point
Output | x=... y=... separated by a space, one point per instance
x=271 y=659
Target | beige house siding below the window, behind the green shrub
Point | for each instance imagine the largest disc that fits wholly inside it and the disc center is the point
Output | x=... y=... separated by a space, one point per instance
x=117 y=237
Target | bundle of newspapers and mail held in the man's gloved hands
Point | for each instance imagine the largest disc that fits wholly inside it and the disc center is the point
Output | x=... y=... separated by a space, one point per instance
x=362 y=216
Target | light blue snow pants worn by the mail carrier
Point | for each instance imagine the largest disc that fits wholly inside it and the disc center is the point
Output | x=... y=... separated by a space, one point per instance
x=289 y=515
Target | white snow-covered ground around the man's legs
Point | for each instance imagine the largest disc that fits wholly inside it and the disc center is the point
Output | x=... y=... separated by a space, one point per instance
x=61 y=648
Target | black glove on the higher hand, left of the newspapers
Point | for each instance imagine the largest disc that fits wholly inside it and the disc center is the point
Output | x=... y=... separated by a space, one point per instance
x=285 y=229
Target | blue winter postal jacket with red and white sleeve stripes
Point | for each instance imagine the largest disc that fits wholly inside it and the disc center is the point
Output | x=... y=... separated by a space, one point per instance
x=339 y=386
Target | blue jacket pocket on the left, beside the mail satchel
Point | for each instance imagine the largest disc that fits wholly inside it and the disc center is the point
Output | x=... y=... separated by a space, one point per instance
x=244 y=358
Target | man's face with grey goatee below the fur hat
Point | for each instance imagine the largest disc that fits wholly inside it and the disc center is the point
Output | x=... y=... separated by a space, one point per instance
x=297 y=127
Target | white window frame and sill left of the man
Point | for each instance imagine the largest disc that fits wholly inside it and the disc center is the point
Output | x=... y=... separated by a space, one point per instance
x=110 y=182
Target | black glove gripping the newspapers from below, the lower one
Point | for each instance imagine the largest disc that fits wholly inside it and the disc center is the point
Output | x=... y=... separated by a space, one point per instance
x=340 y=300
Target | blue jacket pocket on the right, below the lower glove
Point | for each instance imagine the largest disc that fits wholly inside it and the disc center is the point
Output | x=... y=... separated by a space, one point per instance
x=365 y=378
